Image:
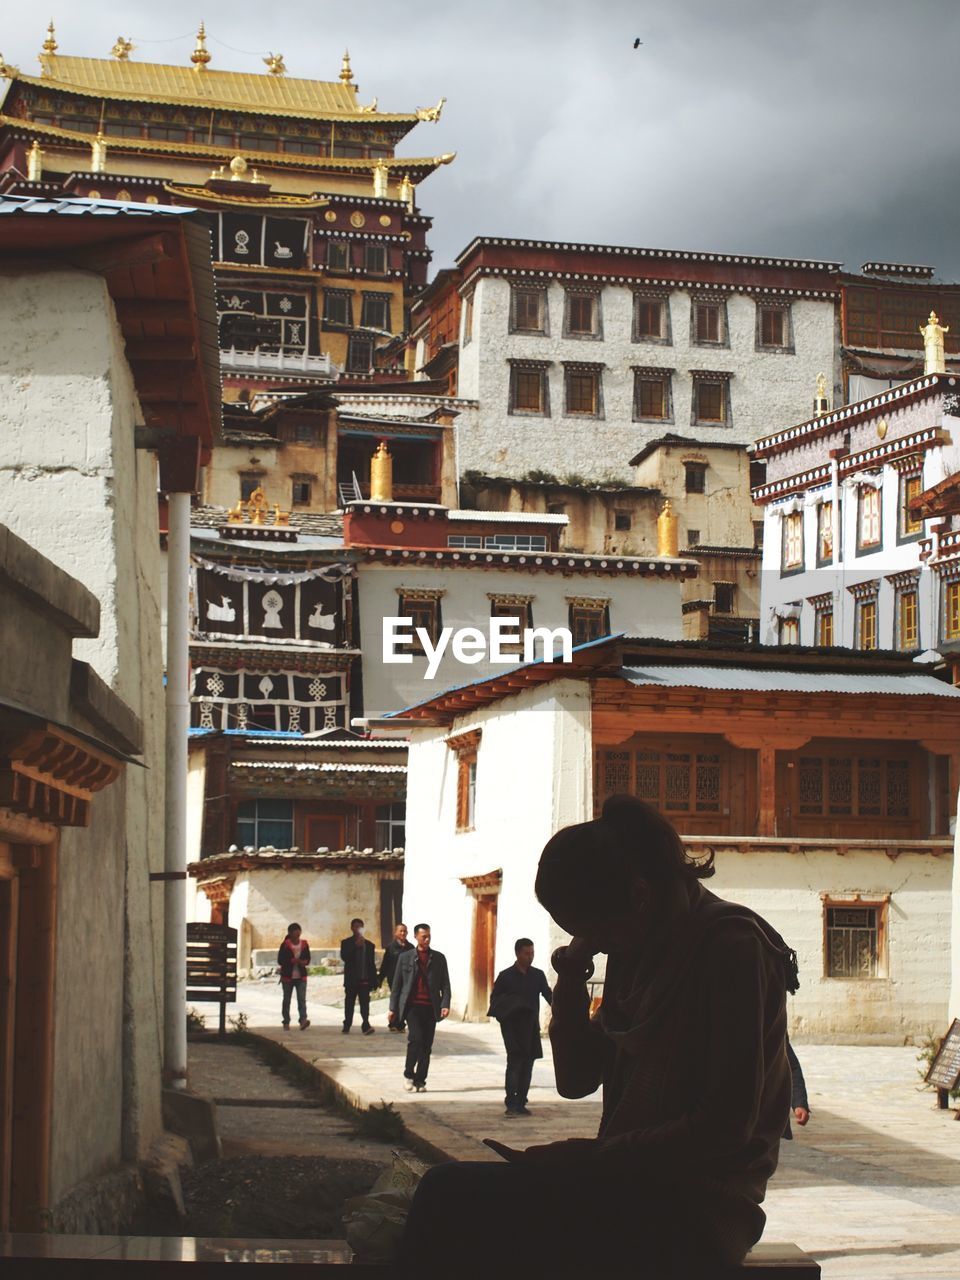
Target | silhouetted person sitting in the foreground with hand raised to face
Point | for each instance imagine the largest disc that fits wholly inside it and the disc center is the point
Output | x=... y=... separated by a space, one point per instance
x=689 y=1048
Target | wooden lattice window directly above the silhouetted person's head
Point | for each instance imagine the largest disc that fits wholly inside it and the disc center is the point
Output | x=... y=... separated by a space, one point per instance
x=675 y=781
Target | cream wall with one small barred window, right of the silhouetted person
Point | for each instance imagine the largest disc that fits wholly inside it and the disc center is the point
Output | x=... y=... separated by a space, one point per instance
x=787 y=890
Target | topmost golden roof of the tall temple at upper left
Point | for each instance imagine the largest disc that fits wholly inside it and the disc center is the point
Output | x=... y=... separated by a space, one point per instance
x=236 y=92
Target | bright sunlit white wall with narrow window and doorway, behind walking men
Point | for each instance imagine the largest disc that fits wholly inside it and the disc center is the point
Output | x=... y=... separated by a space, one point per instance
x=534 y=775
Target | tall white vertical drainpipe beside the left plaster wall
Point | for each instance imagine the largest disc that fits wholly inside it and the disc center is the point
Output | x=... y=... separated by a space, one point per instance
x=176 y=808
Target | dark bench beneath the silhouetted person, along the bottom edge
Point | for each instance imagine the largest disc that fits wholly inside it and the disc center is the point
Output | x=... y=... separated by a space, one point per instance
x=71 y=1258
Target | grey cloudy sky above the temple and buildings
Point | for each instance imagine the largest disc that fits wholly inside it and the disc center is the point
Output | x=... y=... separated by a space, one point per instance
x=824 y=129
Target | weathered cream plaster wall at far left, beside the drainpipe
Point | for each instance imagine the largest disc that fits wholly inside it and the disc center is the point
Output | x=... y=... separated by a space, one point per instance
x=79 y=492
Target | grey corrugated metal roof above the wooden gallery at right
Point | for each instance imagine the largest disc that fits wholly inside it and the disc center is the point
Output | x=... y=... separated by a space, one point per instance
x=788 y=682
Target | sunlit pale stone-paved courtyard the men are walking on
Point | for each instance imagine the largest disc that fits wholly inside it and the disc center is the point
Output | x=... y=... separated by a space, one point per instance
x=871 y=1188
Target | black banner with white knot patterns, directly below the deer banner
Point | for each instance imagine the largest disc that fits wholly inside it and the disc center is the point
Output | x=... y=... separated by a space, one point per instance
x=272 y=702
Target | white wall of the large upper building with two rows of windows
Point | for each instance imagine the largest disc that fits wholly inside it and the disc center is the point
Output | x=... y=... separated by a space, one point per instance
x=766 y=388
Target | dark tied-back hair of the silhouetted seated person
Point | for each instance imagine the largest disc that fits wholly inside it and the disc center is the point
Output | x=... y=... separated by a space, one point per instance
x=589 y=868
